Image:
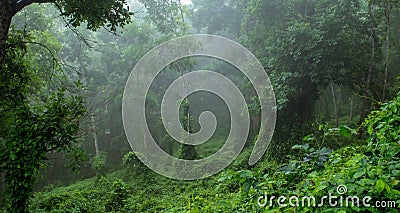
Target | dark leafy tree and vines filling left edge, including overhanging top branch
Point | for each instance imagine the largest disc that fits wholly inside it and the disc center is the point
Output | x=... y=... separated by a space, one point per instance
x=39 y=119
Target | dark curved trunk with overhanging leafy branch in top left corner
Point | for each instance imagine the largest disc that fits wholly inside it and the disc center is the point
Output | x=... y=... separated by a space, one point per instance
x=108 y=13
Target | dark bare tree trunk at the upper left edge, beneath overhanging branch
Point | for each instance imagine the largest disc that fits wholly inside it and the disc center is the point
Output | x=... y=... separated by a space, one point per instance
x=5 y=22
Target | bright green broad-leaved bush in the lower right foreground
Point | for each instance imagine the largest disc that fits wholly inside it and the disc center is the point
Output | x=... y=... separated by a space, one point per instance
x=371 y=170
